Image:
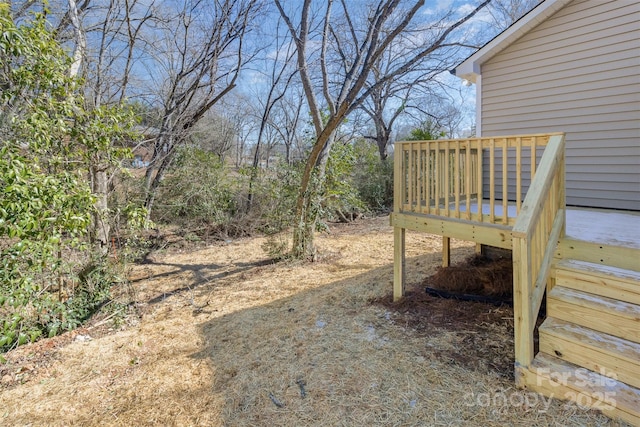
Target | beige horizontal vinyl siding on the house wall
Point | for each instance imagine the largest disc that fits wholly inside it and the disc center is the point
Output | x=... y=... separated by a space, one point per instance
x=577 y=72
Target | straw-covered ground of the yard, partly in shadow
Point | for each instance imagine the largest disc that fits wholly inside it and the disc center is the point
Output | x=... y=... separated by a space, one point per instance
x=228 y=338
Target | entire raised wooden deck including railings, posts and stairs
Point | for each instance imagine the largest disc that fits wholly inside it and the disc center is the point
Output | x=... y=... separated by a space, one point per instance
x=586 y=261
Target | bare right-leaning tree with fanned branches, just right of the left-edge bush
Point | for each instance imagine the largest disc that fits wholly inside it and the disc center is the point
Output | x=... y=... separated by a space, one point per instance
x=202 y=56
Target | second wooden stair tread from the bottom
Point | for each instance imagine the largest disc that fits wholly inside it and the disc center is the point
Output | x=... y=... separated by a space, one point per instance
x=605 y=342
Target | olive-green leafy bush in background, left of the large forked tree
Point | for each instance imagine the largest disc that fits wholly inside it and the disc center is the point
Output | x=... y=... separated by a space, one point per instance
x=208 y=197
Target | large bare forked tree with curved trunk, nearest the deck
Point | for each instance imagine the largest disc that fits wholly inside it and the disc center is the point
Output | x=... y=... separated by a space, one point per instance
x=344 y=89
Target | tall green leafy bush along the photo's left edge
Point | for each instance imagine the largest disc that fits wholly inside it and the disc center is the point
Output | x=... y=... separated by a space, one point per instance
x=49 y=142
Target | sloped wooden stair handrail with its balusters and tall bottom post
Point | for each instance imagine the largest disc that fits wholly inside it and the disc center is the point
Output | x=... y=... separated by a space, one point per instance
x=539 y=226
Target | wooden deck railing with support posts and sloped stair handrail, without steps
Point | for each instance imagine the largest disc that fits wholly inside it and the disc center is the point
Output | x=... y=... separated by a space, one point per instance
x=495 y=182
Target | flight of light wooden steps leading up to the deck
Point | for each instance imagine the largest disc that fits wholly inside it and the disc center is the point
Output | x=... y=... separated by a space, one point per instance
x=590 y=341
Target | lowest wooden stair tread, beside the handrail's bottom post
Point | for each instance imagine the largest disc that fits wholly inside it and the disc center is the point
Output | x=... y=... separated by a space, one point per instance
x=603 y=389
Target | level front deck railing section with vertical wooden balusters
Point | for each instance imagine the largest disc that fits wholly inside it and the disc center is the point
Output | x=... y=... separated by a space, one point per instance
x=452 y=178
